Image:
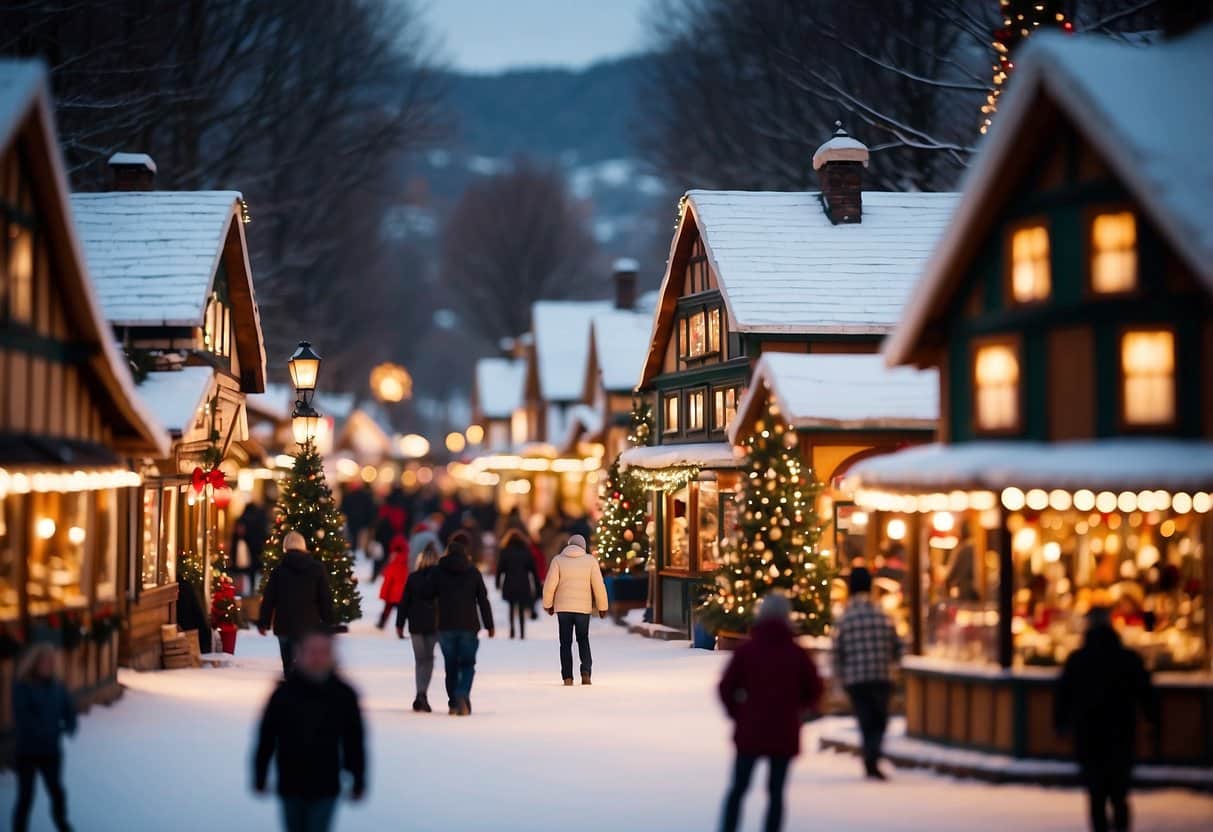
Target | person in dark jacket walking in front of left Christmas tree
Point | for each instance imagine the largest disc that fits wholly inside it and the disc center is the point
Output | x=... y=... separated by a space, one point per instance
x=297 y=599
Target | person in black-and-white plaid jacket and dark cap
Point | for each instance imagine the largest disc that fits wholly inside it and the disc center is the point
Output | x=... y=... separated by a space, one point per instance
x=867 y=646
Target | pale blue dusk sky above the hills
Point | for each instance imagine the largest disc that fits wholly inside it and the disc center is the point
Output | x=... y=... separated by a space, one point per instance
x=488 y=36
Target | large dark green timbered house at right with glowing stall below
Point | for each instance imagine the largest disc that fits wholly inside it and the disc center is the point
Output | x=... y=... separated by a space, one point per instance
x=1069 y=312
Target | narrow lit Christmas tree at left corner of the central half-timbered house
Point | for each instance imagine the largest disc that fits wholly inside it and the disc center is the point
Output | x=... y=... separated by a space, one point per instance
x=620 y=537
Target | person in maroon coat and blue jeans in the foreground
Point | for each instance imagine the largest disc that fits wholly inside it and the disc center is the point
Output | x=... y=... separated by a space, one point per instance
x=768 y=688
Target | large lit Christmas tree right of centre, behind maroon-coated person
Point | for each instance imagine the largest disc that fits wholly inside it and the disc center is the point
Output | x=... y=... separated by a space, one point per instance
x=777 y=542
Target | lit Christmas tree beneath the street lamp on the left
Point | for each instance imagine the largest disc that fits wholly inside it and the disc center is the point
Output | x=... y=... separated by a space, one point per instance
x=305 y=505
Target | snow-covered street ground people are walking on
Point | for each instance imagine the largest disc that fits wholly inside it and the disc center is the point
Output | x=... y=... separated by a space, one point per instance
x=645 y=748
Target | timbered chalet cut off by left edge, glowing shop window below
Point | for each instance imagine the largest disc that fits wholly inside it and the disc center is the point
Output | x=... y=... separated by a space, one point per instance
x=73 y=430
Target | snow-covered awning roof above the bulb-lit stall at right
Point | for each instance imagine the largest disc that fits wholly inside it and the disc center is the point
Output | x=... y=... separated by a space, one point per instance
x=1117 y=465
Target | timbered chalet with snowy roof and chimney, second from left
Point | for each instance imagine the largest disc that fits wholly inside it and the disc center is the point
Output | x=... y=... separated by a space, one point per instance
x=175 y=283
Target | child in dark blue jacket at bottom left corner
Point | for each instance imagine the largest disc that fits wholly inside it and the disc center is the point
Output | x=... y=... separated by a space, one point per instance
x=43 y=713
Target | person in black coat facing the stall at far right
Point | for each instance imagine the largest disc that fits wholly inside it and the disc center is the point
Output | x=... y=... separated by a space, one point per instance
x=1097 y=700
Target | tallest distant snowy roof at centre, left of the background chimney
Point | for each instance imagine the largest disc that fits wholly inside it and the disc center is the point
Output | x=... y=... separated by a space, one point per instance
x=562 y=344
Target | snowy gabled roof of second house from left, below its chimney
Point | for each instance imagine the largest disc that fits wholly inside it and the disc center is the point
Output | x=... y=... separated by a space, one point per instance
x=155 y=257
